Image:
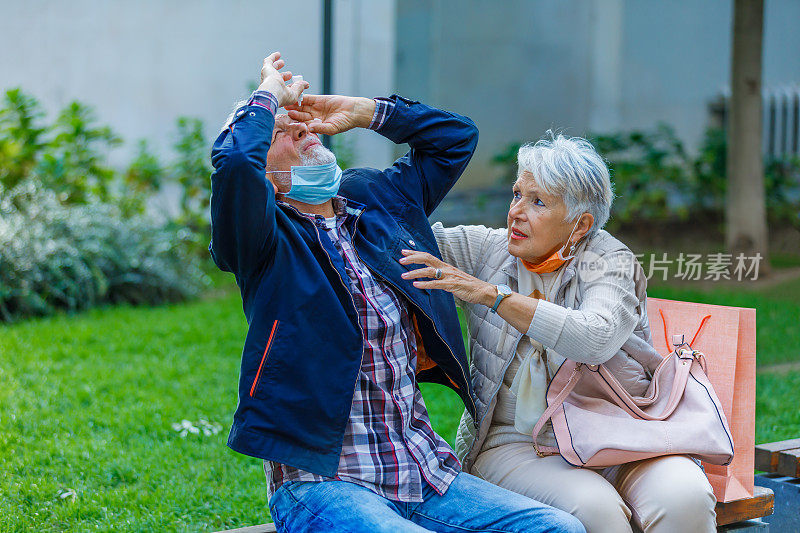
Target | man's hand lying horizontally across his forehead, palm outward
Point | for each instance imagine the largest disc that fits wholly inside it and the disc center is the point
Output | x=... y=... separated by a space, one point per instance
x=331 y=114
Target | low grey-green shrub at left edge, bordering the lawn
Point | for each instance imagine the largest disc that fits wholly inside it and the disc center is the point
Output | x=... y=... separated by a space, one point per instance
x=55 y=256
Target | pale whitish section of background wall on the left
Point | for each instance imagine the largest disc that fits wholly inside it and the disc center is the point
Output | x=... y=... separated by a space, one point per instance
x=142 y=64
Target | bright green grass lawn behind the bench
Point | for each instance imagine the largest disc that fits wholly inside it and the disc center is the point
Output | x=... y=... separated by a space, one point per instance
x=87 y=405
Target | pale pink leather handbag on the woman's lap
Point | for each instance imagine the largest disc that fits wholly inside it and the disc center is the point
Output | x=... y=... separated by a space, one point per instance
x=598 y=424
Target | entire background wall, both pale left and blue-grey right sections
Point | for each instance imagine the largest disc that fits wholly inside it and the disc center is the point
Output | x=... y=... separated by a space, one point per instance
x=517 y=67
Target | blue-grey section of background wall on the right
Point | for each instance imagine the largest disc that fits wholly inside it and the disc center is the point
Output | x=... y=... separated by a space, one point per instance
x=519 y=67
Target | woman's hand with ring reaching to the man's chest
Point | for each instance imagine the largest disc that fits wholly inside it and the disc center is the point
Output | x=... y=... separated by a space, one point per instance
x=463 y=286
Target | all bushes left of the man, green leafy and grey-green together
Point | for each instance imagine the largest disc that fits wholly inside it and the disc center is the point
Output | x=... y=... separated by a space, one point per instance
x=74 y=232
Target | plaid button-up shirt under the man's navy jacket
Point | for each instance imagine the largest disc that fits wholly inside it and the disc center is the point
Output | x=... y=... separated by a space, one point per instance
x=389 y=445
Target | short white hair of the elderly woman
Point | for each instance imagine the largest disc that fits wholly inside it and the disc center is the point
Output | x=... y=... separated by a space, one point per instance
x=570 y=167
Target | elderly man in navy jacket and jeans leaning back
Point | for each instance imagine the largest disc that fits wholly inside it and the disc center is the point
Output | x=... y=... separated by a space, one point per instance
x=337 y=339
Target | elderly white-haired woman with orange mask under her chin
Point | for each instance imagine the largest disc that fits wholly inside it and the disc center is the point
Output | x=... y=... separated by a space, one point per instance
x=554 y=285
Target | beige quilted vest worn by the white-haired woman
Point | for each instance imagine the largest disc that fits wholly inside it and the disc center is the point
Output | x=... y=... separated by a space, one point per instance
x=493 y=342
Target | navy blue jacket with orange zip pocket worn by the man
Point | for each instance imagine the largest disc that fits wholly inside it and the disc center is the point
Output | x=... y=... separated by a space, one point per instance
x=303 y=349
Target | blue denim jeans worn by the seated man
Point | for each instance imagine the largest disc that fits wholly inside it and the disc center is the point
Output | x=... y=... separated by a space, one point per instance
x=469 y=505
